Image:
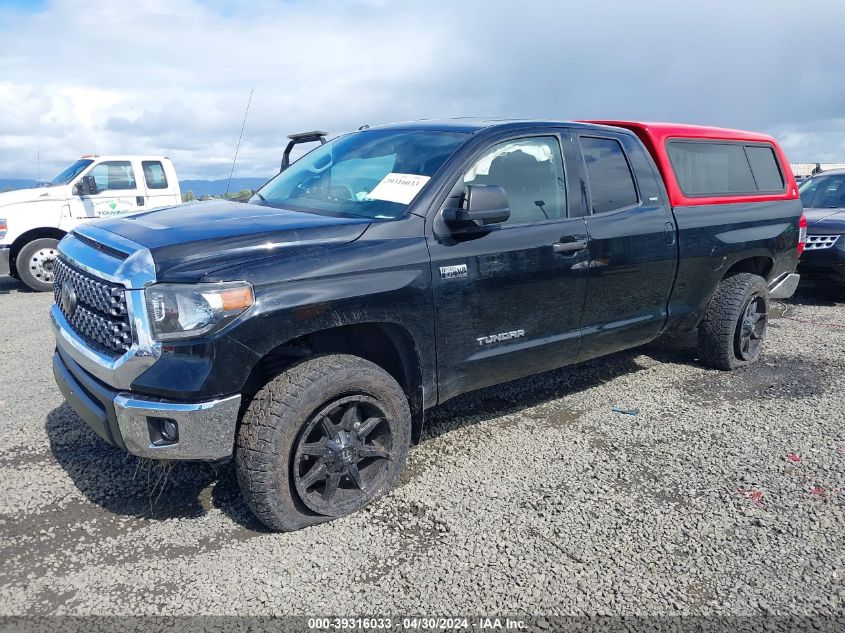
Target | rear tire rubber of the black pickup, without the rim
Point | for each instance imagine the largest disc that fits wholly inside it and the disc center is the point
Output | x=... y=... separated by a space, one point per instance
x=719 y=330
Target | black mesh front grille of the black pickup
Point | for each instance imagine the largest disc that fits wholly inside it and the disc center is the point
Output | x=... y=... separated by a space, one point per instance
x=98 y=314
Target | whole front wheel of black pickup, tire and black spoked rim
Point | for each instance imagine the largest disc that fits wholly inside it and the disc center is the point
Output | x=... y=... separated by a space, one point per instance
x=322 y=440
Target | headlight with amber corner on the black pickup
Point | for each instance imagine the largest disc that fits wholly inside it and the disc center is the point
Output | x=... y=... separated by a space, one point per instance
x=179 y=311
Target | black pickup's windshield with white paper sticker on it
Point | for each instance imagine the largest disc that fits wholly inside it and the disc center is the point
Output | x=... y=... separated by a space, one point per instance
x=369 y=174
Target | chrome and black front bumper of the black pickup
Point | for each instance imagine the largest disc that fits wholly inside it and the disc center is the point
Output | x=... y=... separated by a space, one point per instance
x=205 y=430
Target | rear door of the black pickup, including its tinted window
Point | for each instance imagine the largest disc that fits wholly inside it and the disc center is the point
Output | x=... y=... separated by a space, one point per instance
x=632 y=245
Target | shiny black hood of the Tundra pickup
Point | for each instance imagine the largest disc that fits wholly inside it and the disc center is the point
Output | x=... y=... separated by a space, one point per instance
x=190 y=240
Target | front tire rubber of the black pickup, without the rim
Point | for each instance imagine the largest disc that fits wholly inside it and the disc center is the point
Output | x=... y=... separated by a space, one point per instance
x=284 y=409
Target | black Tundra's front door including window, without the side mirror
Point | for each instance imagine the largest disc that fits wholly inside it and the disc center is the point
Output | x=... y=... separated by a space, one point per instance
x=508 y=299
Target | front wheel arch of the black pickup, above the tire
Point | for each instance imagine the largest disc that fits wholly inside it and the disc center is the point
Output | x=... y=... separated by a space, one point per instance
x=389 y=345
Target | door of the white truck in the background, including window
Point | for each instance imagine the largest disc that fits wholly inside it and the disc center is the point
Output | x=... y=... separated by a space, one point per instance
x=118 y=192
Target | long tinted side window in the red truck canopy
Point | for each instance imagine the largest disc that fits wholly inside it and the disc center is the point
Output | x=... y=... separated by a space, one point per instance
x=713 y=168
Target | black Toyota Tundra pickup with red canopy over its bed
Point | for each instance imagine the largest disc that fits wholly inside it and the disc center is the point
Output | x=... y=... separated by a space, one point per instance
x=307 y=331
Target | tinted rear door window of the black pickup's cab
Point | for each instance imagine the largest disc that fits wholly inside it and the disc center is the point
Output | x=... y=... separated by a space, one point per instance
x=609 y=174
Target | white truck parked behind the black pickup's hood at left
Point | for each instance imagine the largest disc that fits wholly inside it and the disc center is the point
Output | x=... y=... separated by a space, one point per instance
x=32 y=221
